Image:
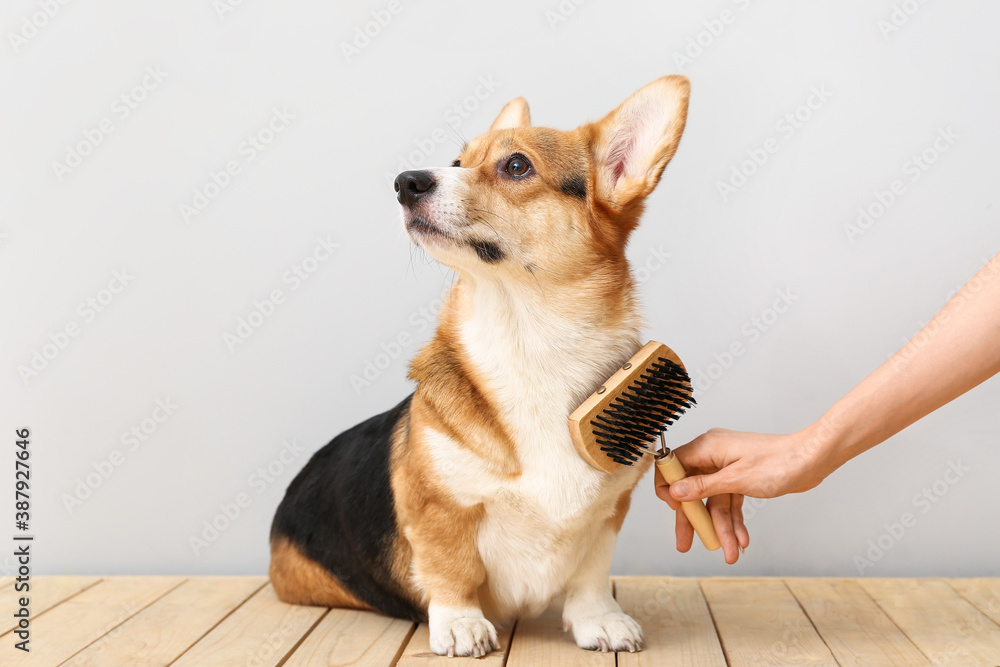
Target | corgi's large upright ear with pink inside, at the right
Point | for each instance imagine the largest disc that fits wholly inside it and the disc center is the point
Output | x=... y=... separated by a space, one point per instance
x=632 y=144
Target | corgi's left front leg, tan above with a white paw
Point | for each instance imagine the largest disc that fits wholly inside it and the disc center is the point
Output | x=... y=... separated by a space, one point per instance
x=450 y=570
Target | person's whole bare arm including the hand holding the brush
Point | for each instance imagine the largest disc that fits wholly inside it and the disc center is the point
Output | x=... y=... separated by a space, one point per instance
x=958 y=349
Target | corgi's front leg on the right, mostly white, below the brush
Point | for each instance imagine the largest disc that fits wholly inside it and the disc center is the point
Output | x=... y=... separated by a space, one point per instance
x=598 y=623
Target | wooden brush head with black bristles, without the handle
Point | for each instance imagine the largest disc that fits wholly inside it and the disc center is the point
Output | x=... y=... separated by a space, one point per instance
x=623 y=419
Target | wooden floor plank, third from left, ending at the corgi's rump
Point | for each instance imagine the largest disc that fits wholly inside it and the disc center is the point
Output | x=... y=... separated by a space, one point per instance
x=161 y=632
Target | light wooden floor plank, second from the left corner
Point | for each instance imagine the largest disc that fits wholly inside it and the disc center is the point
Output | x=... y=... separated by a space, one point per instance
x=85 y=618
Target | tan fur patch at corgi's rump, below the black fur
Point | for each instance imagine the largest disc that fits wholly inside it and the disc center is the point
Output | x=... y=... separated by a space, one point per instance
x=298 y=579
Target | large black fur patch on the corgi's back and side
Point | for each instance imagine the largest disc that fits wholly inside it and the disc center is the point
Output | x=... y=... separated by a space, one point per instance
x=339 y=512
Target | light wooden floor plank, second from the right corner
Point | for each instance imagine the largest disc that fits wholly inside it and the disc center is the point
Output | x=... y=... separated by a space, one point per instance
x=943 y=624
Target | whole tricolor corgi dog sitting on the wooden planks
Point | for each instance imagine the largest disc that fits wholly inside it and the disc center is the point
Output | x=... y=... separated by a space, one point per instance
x=467 y=505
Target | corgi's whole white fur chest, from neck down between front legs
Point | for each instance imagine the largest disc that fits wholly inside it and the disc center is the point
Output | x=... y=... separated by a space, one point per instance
x=537 y=526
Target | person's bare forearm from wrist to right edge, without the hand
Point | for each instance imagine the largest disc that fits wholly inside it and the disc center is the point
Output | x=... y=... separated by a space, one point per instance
x=958 y=349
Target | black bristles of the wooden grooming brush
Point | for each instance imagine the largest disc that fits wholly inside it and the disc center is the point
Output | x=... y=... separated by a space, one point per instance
x=651 y=403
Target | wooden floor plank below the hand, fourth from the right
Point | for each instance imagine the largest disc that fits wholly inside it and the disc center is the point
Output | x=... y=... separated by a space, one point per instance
x=760 y=623
